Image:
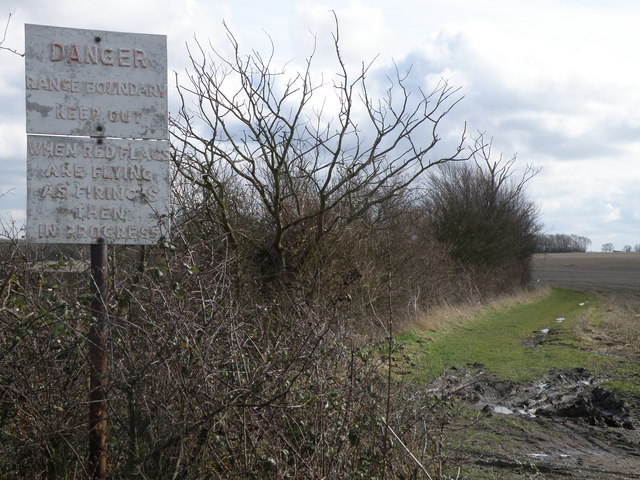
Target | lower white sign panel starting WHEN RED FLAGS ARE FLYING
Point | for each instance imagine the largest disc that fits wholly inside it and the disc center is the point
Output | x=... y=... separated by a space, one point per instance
x=83 y=189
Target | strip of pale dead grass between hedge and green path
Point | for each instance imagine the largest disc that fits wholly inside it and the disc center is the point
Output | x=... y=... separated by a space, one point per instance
x=446 y=316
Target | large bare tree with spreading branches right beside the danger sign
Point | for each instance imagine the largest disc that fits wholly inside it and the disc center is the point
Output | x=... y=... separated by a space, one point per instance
x=263 y=146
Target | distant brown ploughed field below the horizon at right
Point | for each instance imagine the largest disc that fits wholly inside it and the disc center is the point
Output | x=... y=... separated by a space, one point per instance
x=602 y=273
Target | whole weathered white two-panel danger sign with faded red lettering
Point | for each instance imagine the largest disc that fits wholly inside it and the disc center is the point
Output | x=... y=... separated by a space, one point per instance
x=97 y=153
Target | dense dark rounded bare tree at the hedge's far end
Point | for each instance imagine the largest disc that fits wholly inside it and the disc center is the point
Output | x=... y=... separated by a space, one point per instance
x=482 y=214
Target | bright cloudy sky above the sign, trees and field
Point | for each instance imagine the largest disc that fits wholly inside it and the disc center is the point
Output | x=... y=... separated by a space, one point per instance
x=555 y=82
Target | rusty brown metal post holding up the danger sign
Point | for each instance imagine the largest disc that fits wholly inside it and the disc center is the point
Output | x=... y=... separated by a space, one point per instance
x=98 y=360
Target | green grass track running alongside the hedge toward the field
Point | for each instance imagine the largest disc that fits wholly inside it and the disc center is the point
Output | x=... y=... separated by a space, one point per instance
x=518 y=341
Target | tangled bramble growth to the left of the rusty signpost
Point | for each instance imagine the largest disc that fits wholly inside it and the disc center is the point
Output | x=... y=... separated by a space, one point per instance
x=42 y=382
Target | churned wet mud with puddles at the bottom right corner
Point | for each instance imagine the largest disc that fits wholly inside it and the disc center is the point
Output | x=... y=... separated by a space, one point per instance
x=563 y=425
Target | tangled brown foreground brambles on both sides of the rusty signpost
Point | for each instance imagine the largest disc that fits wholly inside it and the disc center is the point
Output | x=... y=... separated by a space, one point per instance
x=207 y=378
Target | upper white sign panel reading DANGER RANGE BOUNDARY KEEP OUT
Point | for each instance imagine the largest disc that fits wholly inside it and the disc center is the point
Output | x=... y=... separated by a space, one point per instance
x=96 y=83
